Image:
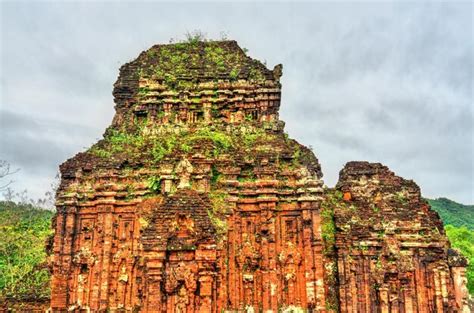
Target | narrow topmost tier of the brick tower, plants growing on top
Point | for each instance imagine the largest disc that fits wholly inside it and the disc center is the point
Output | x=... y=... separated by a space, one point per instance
x=197 y=82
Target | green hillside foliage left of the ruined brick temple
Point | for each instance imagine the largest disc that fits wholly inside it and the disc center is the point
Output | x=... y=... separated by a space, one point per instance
x=23 y=233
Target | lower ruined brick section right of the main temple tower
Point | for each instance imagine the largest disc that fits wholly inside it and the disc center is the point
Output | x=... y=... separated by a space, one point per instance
x=393 y=254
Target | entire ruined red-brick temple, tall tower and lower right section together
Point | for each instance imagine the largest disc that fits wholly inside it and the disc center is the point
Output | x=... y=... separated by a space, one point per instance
x=197 y=201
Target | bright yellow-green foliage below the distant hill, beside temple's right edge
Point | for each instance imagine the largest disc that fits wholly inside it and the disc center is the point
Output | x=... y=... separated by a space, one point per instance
x=462 y=239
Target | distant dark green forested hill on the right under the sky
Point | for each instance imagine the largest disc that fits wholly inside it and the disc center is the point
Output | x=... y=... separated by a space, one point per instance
x=454 y=213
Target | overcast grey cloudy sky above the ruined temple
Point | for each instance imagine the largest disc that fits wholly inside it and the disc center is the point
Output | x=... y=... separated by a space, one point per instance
x=379 y=81
